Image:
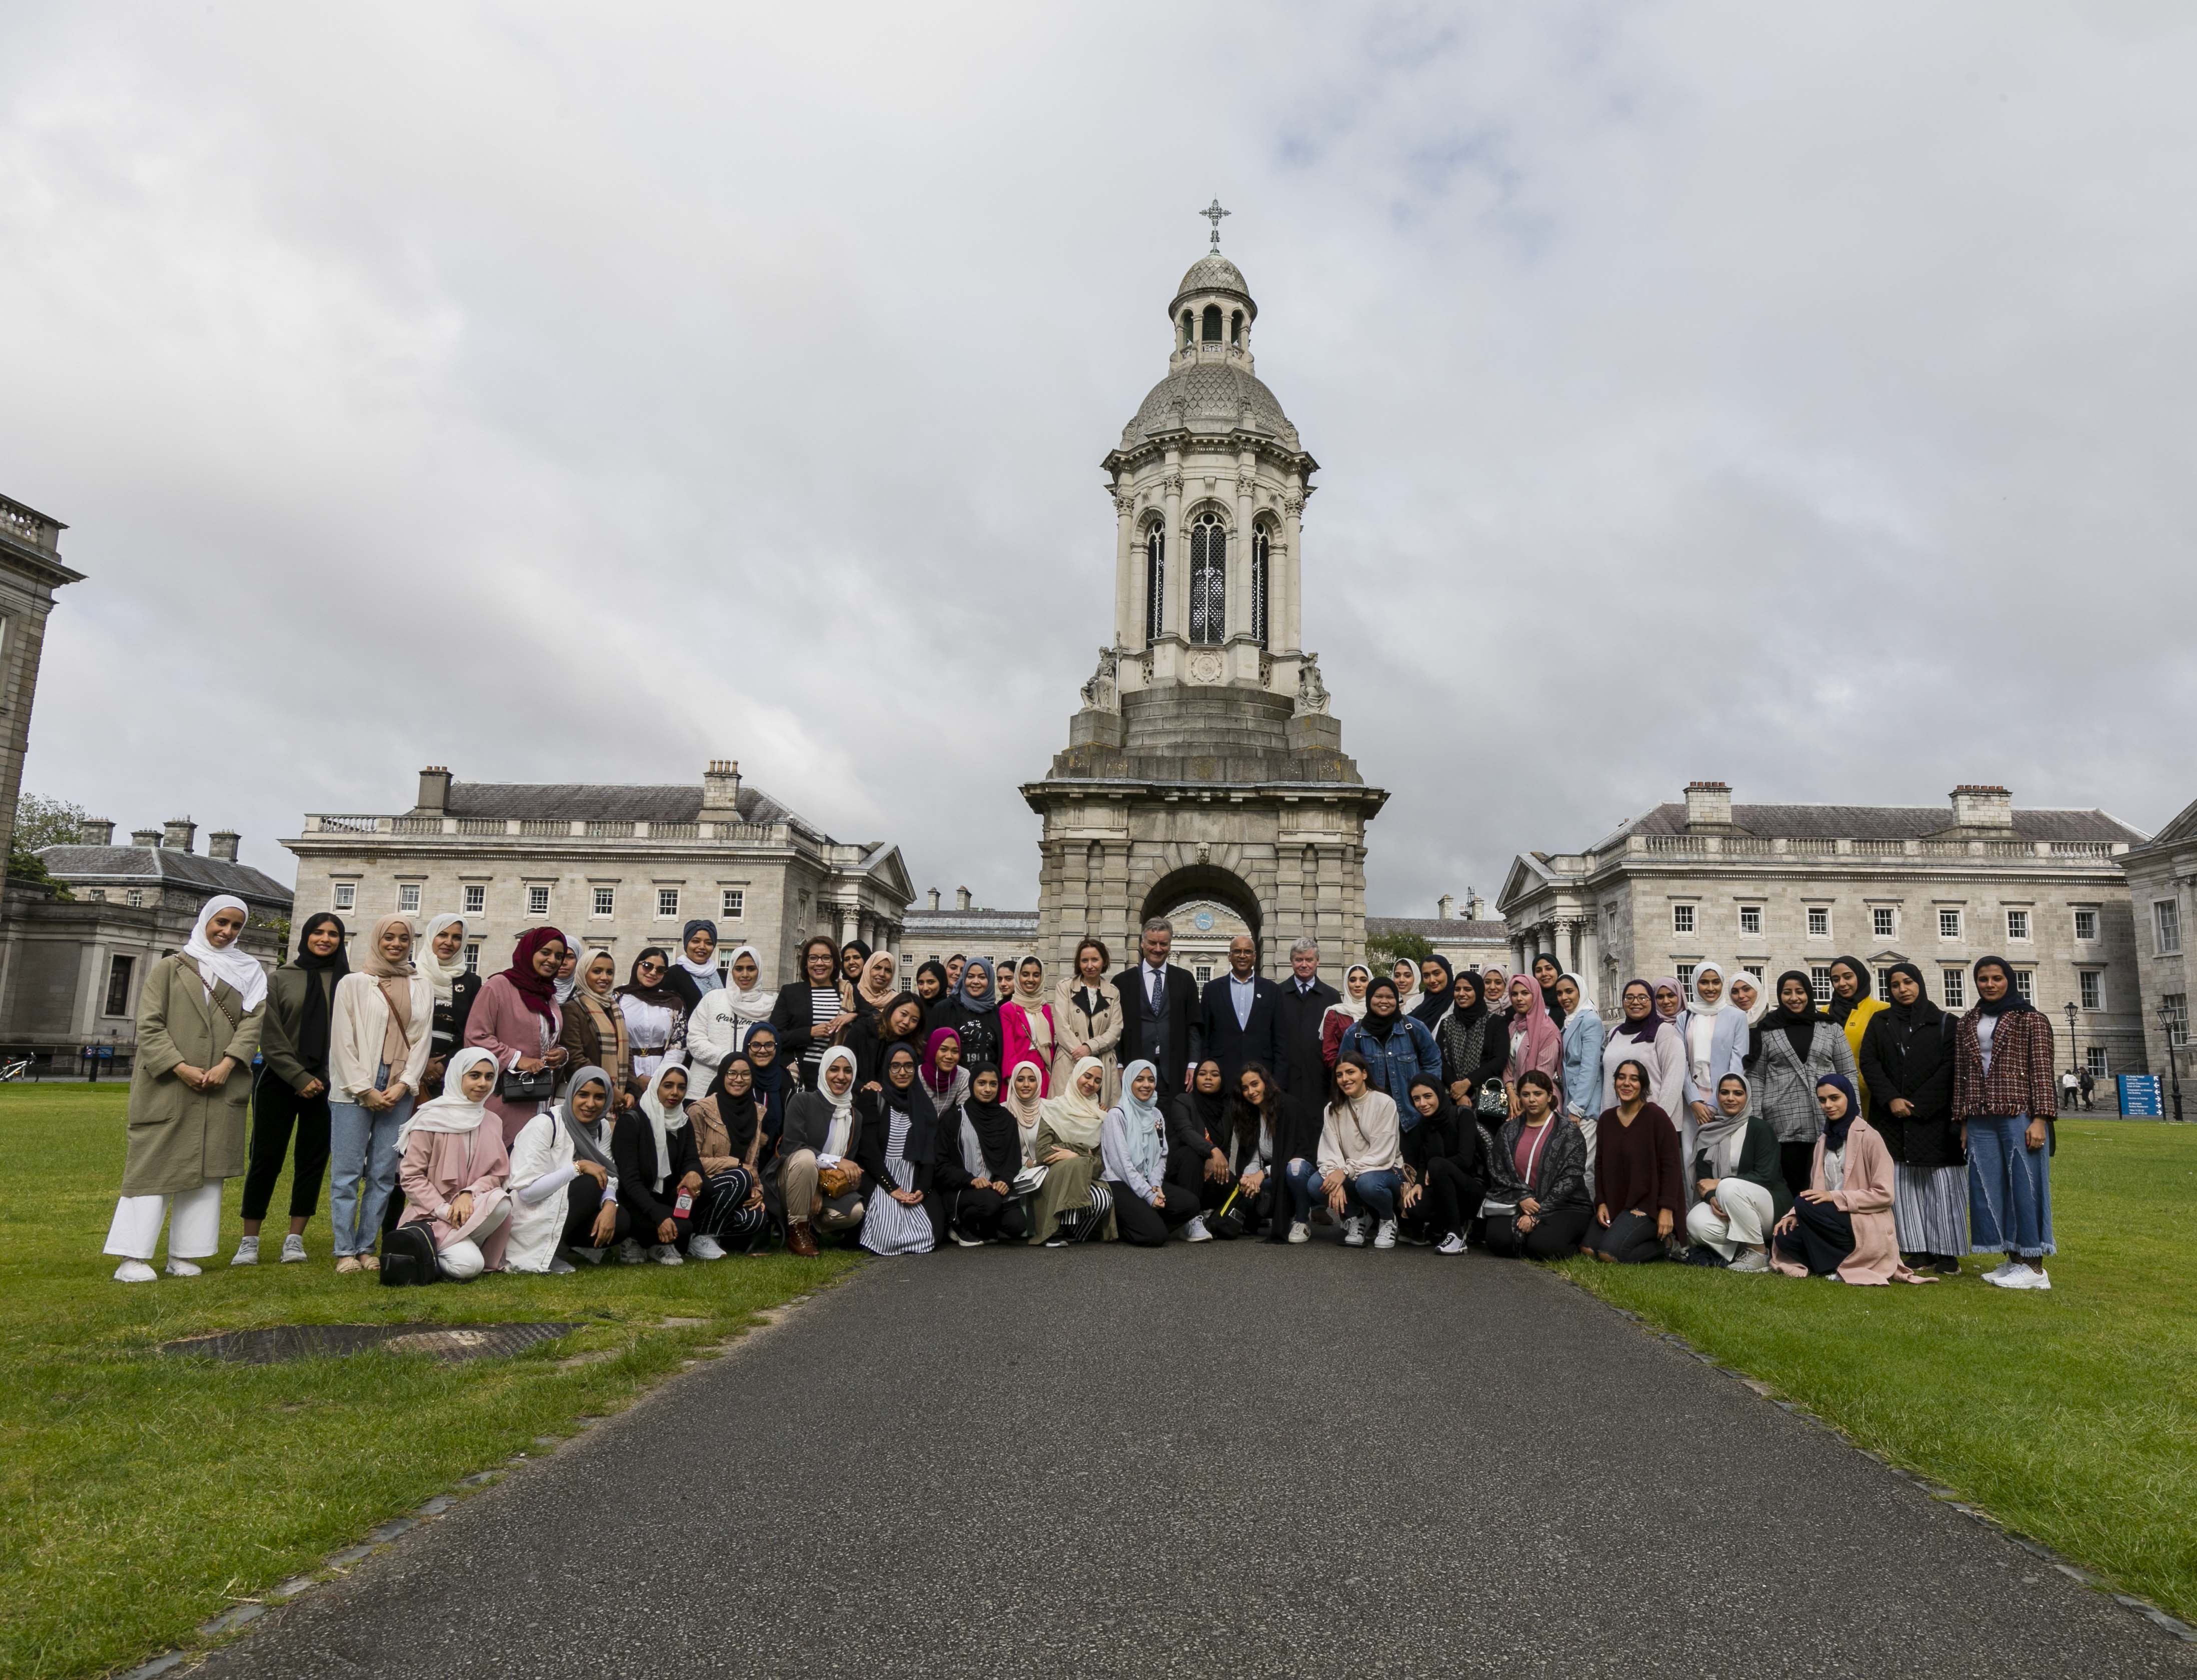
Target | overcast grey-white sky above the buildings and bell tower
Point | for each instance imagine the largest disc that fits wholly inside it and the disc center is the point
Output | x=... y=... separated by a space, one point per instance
x=1787 y=396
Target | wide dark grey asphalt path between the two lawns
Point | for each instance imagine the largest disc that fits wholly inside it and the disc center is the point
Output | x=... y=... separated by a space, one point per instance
x=1220 y=1461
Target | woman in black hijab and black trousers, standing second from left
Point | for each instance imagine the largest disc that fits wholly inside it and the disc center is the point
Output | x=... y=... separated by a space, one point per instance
x=291 y=1088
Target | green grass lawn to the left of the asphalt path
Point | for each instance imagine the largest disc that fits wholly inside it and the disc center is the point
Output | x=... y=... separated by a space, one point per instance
x=144 y=1494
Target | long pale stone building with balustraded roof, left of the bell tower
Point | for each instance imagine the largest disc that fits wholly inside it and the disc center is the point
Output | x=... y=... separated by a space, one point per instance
x=612 y=866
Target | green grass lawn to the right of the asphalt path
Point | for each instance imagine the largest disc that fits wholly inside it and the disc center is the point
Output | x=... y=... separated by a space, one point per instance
x=2068 y=1415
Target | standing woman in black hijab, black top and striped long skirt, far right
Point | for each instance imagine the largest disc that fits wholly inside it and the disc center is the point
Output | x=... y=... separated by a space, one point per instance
x=1908 y=1075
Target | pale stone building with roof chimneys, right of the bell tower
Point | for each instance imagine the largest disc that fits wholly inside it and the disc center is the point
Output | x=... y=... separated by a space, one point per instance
x=1778 y=888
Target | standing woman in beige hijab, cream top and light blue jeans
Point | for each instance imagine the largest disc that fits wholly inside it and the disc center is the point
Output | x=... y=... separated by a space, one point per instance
x=379 y=1042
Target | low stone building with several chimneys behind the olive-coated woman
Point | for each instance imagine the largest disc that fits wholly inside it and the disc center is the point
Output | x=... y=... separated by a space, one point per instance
x=74 y=965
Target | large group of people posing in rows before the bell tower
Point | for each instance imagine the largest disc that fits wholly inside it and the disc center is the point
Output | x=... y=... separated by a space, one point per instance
x=555 y=1117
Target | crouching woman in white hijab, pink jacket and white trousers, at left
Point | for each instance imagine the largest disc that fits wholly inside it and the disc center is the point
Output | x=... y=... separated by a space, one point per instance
x=454 y=1172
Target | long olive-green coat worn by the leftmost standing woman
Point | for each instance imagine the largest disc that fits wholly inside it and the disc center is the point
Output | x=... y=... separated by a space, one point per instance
x=179 y=1139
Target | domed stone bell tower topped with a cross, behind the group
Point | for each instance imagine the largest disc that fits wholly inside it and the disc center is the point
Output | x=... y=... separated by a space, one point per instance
x=1207 y=761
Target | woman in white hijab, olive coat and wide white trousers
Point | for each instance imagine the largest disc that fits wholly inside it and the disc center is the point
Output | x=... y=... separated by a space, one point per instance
x=199 y=1031
